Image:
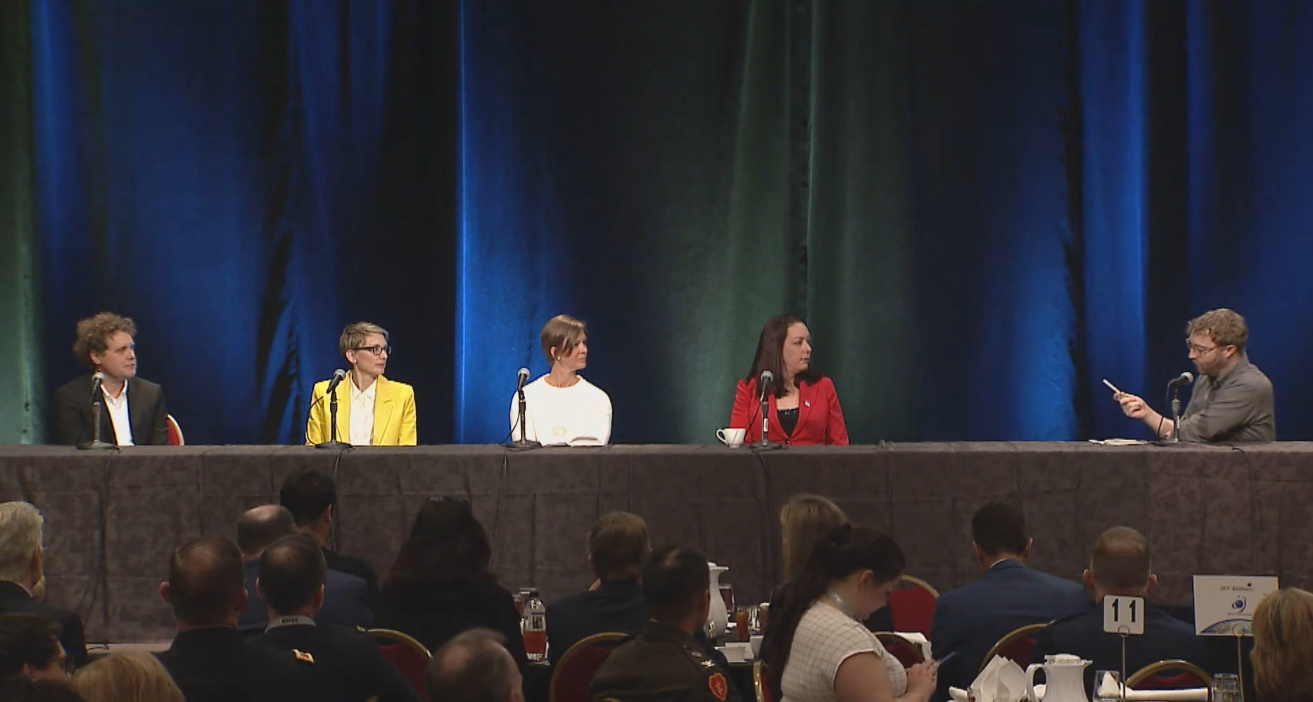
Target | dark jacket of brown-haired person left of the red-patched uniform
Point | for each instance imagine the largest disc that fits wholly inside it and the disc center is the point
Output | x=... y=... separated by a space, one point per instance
x=614 y=607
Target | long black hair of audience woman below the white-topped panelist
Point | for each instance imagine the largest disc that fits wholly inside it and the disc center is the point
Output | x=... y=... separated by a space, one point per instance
x=447 y=544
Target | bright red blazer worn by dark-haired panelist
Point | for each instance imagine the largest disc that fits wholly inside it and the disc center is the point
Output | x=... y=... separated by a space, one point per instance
x=820 y=415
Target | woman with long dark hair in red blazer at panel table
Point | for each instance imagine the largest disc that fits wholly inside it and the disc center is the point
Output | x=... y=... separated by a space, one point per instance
x=804 y=409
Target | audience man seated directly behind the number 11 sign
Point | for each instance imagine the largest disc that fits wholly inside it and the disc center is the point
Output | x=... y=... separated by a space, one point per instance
x=1121 y=568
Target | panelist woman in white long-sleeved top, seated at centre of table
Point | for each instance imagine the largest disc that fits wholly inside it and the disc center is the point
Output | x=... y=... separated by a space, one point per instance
x=561 y=407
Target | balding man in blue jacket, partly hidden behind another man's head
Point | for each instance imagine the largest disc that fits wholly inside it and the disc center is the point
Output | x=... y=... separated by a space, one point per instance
x=346 y=596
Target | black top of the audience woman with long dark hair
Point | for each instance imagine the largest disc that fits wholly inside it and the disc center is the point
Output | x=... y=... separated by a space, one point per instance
x=437 y=615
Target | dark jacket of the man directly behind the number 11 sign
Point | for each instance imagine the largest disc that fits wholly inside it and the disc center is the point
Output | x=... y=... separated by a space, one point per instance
x=1083 y=634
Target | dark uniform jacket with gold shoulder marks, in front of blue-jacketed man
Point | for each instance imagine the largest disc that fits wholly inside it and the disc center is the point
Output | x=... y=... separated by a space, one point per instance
x=346 y=659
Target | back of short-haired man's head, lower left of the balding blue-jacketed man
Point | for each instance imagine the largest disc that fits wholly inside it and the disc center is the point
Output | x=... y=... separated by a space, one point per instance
x=207 y=582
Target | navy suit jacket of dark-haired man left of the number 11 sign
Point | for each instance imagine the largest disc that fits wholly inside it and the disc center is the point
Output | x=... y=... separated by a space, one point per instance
x=975 y=617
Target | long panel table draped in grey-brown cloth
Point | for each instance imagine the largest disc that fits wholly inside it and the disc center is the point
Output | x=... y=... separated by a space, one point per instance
x=114 y=518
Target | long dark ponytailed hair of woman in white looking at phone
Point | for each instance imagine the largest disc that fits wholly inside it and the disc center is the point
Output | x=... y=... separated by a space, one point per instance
x=846 y=552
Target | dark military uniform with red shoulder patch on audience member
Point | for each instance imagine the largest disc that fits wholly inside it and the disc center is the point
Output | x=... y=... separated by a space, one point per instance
x=662 y=663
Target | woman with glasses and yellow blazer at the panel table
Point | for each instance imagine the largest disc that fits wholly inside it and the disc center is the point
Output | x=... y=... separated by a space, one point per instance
x=372 y=411
